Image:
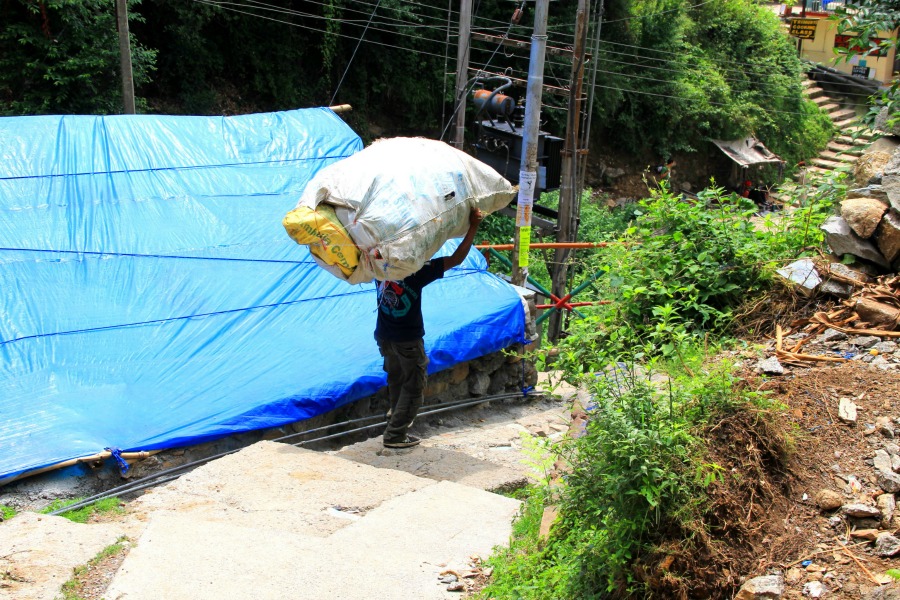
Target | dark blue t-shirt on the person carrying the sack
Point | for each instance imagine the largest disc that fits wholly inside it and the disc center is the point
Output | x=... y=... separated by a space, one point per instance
x=400 y=304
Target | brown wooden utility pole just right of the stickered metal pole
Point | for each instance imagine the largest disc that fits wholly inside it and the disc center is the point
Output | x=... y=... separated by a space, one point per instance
x=569 y=189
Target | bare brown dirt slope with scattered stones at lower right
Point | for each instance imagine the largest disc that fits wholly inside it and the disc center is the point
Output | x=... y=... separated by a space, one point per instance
x=765 y=518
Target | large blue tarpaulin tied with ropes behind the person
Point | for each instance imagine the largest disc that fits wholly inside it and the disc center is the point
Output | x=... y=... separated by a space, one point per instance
x=150 y=298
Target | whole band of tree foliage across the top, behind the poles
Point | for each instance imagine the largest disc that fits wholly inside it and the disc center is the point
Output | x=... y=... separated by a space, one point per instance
x=670 y=75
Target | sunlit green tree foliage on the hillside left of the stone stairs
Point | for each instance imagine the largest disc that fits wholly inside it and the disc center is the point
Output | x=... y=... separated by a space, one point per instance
x=724 y=70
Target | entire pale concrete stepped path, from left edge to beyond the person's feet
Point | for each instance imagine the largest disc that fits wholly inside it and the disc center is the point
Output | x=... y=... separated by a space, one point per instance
x=382 y=525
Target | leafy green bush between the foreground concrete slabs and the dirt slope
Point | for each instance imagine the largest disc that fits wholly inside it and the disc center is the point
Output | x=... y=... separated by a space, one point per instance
x=635 y=475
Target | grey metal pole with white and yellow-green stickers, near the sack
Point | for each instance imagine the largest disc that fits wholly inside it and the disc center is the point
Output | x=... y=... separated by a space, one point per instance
x=528 y=170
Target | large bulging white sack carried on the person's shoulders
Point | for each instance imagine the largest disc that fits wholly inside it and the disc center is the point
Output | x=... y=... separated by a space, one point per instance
x=400 y=199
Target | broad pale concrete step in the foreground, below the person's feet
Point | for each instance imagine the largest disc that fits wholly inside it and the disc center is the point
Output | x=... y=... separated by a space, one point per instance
x=274 y=521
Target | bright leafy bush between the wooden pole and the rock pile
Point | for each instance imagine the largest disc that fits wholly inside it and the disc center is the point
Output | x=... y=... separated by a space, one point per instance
x=684 y=266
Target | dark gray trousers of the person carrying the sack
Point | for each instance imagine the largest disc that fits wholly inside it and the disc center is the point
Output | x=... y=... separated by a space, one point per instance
x=406 y=366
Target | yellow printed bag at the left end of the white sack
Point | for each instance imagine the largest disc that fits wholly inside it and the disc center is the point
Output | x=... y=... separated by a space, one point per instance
x=327 y=239
